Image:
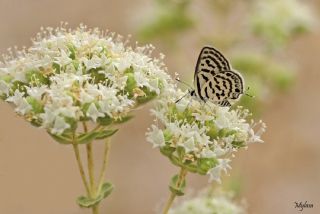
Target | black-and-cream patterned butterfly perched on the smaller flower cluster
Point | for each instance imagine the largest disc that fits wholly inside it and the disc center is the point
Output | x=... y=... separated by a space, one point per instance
x=215 y=80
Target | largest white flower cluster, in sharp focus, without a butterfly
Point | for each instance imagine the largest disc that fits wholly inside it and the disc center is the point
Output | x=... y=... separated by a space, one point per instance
x=68 y=76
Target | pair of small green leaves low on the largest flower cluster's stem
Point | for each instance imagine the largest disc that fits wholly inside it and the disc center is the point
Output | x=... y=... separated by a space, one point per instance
x=87 y=202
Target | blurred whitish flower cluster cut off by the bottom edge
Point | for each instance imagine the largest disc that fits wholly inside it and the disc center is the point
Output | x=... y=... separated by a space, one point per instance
x=218 y=202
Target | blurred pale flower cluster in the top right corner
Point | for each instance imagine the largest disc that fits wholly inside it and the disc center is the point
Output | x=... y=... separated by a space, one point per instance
x=276 y=21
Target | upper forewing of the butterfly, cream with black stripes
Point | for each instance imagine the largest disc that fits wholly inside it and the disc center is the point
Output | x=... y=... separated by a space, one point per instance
x=210 y=62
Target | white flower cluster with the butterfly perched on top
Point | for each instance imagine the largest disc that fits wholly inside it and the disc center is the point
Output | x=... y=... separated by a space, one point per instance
x=201 y=137
